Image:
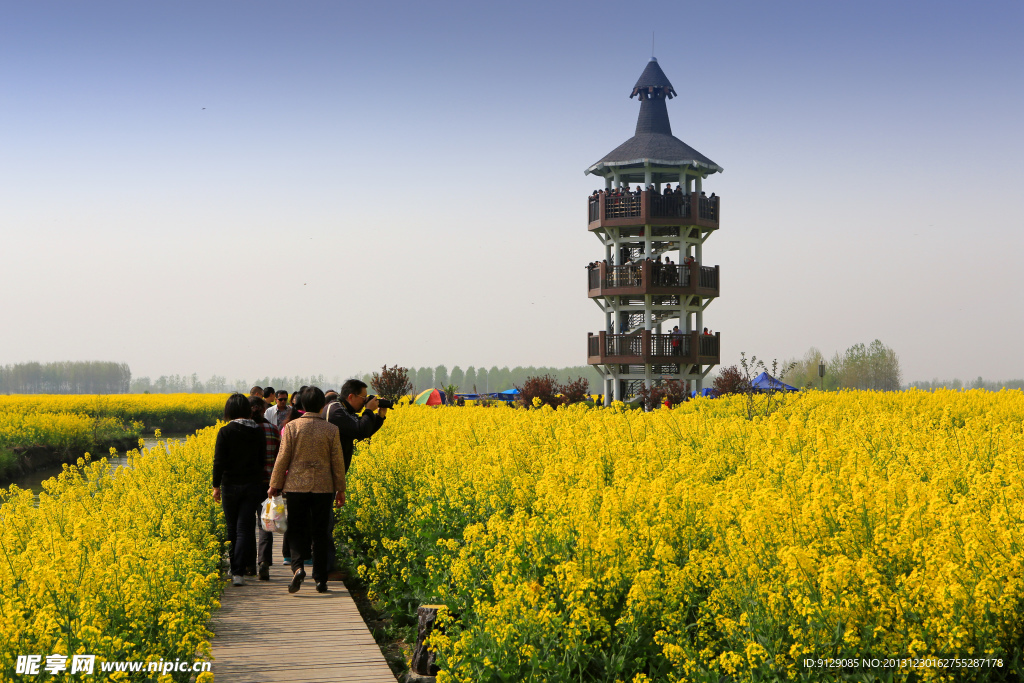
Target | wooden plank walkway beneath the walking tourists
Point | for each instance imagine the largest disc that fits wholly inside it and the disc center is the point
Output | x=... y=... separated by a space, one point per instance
x=264 y=634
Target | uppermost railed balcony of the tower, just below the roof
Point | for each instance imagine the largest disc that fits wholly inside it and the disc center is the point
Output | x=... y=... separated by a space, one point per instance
x=651 y=208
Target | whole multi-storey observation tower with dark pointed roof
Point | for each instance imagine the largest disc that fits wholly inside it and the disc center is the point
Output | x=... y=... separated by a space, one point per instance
x=642 y=294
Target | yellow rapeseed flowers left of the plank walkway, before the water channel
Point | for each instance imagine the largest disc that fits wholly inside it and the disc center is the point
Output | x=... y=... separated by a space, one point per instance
x=123 y=567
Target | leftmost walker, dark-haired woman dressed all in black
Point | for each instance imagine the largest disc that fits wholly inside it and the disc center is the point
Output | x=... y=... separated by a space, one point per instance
x=238 y=480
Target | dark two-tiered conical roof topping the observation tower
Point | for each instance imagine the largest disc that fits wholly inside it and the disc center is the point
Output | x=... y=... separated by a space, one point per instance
x=653 y=144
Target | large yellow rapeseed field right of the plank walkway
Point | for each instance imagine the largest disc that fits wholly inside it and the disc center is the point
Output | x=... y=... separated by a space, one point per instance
x=695 y=545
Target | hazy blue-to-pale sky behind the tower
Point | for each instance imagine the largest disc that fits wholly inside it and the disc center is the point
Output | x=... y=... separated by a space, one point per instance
x=254 y=189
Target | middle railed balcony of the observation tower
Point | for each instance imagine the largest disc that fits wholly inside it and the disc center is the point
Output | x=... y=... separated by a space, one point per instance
x=653 y=278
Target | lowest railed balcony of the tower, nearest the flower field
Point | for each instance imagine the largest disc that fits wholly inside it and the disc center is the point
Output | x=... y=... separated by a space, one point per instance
x=645 y=348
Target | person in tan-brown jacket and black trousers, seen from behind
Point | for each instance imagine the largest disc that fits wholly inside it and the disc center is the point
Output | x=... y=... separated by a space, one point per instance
x=311 y=469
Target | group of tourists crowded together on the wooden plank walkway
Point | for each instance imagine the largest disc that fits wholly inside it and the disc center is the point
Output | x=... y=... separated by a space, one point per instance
x=301 y=446
